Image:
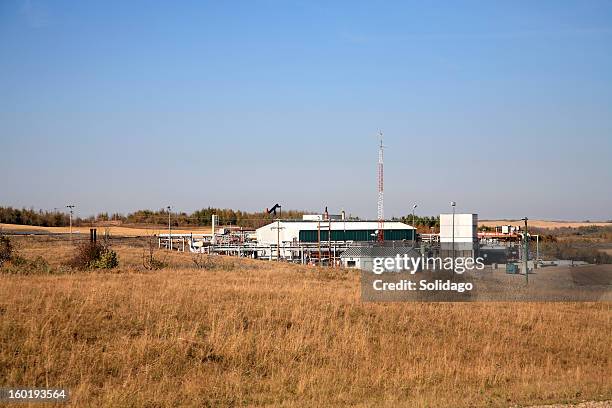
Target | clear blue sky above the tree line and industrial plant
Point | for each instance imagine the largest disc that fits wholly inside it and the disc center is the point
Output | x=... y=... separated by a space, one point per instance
x=504 y=107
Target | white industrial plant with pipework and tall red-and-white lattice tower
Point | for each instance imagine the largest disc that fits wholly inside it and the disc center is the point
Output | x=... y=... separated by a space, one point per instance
x=334 y=240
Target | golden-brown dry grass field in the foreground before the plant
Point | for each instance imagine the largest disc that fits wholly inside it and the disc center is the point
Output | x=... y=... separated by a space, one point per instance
x=244 y=333
